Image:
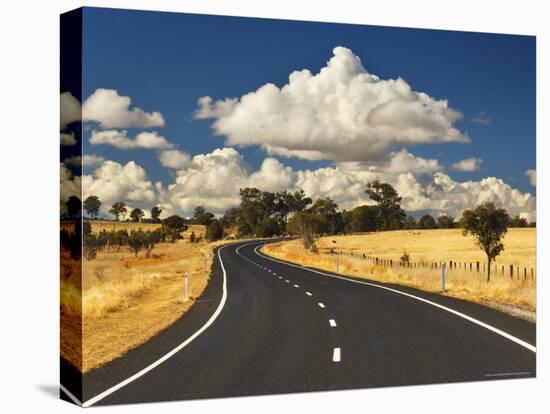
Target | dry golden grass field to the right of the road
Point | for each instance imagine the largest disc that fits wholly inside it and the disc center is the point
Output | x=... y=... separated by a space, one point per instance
x=427 y=245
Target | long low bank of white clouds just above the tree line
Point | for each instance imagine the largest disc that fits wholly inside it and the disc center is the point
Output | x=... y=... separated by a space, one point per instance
x=214 y=179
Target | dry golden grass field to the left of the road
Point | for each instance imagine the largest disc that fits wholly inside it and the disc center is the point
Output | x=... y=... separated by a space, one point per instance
x=127 y=300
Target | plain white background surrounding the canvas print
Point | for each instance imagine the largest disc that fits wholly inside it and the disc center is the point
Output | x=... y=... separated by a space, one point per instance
x=29 y=139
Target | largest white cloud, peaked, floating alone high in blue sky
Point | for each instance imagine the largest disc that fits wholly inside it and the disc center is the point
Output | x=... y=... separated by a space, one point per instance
x=342 y=113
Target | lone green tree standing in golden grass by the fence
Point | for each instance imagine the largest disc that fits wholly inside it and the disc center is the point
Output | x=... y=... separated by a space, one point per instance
x=488 y=225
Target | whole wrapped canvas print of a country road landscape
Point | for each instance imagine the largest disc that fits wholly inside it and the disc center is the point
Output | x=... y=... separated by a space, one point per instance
x=258 y=206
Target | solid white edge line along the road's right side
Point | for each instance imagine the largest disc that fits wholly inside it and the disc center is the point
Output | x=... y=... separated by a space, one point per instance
x=429 y=302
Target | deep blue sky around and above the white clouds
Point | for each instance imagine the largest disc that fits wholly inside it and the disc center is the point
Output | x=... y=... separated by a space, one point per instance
x=166 y=61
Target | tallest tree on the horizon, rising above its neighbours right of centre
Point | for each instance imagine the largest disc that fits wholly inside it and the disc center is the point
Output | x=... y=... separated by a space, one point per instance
x=390 y=214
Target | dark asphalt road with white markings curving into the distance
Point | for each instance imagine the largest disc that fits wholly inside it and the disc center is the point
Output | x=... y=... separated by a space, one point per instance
x=264 y=327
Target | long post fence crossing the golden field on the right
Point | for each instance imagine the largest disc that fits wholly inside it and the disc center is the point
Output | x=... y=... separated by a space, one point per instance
x=497 y=269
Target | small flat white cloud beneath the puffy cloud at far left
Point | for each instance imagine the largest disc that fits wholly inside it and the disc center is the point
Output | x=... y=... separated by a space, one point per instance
x=120 y=139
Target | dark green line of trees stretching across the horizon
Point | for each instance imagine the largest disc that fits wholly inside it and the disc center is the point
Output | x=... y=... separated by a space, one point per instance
x=269 y=214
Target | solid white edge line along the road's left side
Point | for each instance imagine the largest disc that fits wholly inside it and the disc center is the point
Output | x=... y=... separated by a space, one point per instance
x=174 y=351
